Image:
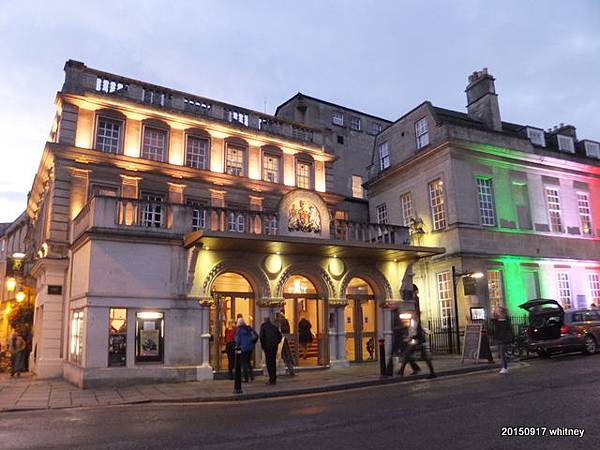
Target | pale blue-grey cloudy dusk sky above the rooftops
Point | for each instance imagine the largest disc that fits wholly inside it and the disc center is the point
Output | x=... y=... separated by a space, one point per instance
x=381 y=57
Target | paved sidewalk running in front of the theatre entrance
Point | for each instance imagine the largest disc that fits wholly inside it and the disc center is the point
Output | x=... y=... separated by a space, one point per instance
x=28 y=393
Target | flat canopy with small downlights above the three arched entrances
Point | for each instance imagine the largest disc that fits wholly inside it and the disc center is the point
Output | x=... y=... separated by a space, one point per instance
x=225 y=241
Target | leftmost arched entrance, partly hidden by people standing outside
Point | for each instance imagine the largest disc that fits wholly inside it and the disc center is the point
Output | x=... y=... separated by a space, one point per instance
x=234 y=298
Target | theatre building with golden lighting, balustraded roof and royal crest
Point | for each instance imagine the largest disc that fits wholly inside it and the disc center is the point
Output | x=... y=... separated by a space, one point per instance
x=157 y=217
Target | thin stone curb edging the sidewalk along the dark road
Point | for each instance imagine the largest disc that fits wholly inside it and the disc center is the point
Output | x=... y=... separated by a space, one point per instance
x=483 y=367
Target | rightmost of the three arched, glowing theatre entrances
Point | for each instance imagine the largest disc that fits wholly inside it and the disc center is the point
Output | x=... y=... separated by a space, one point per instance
x=360 y=321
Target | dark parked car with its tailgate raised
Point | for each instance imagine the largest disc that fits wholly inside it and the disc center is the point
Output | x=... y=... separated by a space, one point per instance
x=554 y=330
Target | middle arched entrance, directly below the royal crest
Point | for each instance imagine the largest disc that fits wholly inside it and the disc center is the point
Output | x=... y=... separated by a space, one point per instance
x=306 y=312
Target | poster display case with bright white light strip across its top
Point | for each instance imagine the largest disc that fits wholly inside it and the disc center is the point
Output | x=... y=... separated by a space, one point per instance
x=149 y=336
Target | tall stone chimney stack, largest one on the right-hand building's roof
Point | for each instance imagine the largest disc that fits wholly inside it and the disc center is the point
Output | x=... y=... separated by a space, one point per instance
x=482 y=100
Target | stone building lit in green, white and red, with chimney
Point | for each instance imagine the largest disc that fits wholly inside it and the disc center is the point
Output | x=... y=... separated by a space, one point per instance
x=517 y=203
